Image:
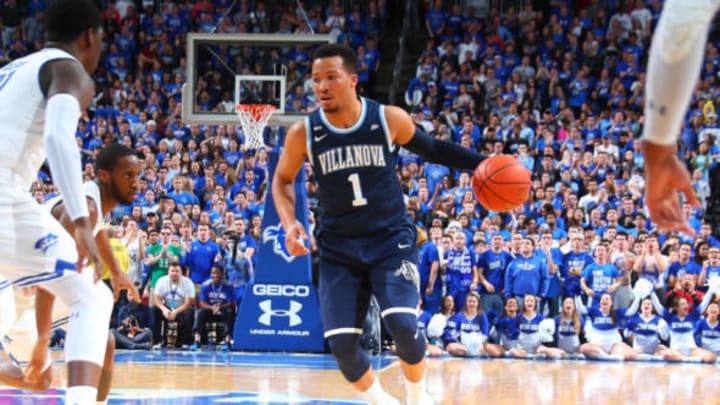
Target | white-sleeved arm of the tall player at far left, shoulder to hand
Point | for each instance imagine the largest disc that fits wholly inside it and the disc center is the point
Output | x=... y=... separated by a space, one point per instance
x=68 y=89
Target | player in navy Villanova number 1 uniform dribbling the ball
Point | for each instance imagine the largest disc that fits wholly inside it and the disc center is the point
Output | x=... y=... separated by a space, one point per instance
x=365 y=238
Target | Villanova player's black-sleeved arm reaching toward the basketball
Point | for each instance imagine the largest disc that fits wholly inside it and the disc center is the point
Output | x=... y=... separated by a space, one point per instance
x=404 y=132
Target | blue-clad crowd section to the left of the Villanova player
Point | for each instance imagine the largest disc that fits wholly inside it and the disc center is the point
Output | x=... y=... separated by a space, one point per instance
x=202 y=192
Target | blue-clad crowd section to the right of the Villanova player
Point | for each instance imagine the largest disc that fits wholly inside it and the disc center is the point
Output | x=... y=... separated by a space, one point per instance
x=563 y=91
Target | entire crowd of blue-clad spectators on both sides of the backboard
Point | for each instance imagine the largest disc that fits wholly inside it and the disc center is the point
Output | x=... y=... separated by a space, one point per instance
x=562 y=90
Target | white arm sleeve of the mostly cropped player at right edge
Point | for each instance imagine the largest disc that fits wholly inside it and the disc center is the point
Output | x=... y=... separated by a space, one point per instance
x=675 y=59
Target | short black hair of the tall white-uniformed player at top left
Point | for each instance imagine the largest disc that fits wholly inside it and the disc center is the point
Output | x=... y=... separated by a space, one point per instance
x=65 y=20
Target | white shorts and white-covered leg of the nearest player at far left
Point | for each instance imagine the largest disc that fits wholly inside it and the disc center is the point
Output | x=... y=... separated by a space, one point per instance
x=37 y=251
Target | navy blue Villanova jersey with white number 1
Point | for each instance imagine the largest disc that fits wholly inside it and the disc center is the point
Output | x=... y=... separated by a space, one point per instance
x=359 y=193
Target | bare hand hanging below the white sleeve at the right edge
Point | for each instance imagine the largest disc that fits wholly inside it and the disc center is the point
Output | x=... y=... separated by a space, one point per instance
x=665 y=176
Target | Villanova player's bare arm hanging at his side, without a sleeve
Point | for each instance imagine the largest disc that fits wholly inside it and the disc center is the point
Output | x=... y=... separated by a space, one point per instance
x=283 y=187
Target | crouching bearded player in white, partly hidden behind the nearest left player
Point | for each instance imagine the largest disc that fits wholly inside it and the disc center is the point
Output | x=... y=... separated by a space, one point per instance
x=117 y=169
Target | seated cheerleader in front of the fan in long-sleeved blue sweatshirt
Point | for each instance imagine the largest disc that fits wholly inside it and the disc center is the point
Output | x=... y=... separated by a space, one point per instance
x=530 y=343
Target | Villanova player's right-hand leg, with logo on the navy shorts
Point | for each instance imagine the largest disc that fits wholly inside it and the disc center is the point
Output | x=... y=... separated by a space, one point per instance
x=395 y=285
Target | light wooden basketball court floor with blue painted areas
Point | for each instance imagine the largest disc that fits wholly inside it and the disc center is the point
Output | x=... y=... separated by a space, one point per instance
x=184 y=378
